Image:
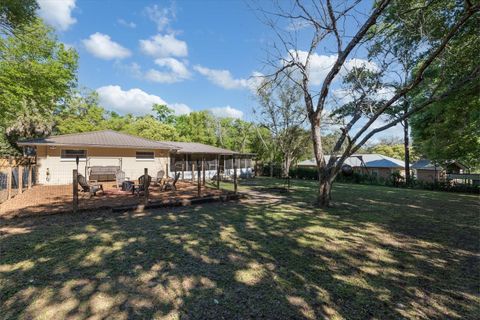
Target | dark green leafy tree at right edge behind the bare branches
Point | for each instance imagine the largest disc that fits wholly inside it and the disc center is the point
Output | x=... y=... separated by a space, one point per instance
x=450 y=128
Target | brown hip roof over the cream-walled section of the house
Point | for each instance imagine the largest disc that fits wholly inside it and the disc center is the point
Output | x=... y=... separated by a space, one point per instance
x=105 y=138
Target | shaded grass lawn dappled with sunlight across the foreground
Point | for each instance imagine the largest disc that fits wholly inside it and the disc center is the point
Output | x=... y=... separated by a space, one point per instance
x=378 y=253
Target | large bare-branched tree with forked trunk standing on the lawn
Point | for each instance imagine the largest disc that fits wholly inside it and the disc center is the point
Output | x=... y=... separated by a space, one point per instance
x=427 y=30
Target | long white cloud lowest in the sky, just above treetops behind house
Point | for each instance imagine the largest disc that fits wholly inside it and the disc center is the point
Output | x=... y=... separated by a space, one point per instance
x=135 y=101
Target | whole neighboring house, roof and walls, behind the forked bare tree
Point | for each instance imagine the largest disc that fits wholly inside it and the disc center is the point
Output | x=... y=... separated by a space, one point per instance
x=373 y=164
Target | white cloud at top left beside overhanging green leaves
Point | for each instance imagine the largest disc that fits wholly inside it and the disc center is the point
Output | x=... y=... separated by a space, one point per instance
x=57 y=13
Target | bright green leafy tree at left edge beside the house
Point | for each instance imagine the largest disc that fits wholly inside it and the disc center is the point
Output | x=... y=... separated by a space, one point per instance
x=37 y=75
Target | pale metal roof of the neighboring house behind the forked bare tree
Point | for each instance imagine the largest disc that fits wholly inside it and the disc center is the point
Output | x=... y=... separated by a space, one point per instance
x=372 y=160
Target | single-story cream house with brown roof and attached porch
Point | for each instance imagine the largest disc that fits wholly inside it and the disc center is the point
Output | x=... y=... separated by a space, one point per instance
x=56 y=156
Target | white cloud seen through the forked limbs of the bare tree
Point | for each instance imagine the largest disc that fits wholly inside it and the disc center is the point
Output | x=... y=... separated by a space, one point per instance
x=320 y=65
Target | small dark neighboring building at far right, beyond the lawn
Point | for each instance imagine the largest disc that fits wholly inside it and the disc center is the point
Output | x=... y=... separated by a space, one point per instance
x=429 y=171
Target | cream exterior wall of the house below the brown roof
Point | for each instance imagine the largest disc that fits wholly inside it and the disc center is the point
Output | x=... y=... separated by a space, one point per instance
x=61 y=170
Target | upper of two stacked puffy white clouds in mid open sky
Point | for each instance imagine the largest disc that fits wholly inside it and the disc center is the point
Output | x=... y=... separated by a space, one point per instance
x=163 y=46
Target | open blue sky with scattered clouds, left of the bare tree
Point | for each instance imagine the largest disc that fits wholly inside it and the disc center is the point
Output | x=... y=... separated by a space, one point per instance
x=191 y=55
